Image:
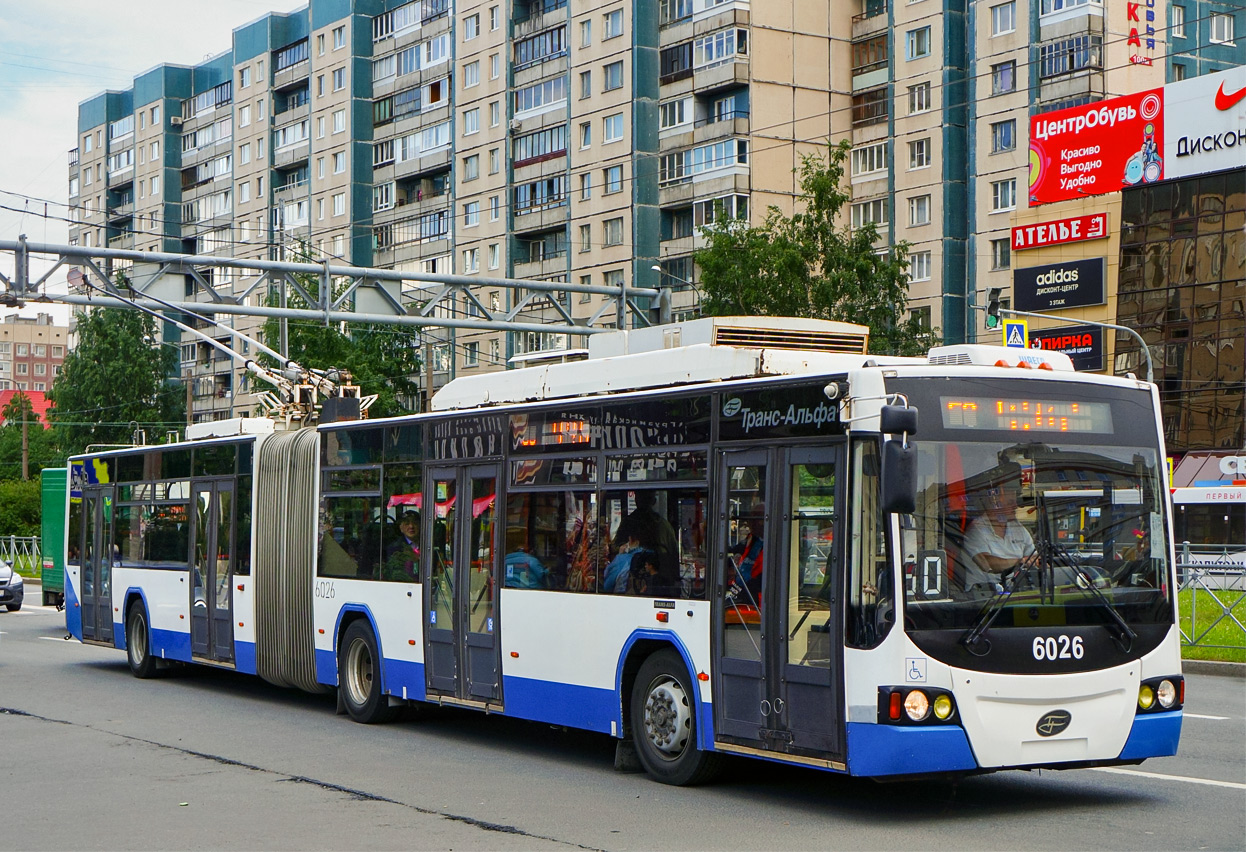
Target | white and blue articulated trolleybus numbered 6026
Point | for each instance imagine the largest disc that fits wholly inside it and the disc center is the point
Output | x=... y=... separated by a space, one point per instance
x=725 y=536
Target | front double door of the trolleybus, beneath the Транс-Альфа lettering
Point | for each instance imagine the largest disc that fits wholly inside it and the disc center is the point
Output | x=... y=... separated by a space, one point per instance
x=777 y=640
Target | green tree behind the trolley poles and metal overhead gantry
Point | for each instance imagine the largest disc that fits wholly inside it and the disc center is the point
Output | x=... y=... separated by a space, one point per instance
x=382 y=359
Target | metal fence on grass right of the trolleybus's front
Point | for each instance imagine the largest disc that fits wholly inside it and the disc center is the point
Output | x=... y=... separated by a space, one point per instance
x=1204 y=572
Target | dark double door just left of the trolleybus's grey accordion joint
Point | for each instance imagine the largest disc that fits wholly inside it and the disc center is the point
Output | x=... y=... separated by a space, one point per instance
x=212 y=571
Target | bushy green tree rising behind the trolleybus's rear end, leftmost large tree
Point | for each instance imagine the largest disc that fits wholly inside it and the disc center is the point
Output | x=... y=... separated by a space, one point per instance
x=113 y=381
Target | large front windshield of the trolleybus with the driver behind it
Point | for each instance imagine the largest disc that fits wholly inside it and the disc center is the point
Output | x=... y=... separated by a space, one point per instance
x=1047 y=532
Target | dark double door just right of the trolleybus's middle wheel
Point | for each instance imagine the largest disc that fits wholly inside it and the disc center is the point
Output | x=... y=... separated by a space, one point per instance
x=463 y=647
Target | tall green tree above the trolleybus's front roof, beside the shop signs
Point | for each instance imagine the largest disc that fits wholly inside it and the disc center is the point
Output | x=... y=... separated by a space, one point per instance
x=811 y=266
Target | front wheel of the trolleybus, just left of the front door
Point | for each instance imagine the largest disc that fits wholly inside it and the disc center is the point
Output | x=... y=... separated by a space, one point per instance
x=665 y=723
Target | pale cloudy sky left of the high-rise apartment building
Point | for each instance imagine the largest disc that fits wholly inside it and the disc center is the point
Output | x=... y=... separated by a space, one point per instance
x=55 y=54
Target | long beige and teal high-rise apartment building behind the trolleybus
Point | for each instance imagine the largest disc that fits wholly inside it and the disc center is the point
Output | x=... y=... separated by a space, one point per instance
x=585 y=141
